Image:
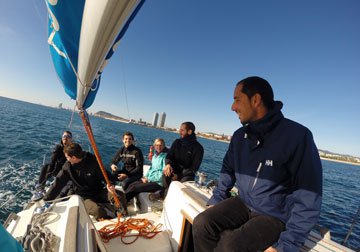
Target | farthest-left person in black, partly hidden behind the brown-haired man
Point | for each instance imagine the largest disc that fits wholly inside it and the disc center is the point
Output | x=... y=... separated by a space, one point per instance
x=57 y=161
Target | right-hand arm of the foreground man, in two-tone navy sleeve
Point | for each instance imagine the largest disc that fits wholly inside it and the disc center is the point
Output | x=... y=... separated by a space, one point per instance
x=305 y=201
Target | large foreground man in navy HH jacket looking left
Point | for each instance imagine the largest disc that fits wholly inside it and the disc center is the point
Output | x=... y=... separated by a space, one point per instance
x=275 y=165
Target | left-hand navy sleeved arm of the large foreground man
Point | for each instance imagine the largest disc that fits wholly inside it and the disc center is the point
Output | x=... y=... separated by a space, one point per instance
x=227 y=178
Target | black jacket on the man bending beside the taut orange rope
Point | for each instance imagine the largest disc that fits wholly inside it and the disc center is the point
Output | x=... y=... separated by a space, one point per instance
x=86 y=178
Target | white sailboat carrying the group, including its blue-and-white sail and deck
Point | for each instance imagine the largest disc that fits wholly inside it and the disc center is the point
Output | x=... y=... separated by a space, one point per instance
x=82 y=37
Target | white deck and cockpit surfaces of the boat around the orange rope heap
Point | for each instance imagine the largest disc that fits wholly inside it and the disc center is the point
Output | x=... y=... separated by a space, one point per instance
x=184 y=201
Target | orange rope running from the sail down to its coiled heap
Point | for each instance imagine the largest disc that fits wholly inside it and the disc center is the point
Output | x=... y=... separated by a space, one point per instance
x=143 y=227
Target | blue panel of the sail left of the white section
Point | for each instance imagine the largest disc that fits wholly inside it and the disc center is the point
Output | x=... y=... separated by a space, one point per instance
x=69 y=16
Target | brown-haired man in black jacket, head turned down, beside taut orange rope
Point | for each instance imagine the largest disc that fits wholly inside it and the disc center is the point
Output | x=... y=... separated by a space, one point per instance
x=83 y=170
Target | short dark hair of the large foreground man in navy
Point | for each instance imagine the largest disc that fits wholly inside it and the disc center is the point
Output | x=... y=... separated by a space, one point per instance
x=256 y=85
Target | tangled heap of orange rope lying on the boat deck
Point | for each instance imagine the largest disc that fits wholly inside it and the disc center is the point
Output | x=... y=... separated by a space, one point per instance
x=142 y=227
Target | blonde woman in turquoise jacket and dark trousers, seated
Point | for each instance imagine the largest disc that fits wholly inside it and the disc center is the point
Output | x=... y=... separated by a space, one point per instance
x=152 y=181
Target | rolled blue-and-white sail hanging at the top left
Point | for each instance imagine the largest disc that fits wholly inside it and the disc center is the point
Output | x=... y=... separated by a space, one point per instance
x=83 y=36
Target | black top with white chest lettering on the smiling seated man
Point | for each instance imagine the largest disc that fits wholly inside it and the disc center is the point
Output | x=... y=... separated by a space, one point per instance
x=133 y=160
